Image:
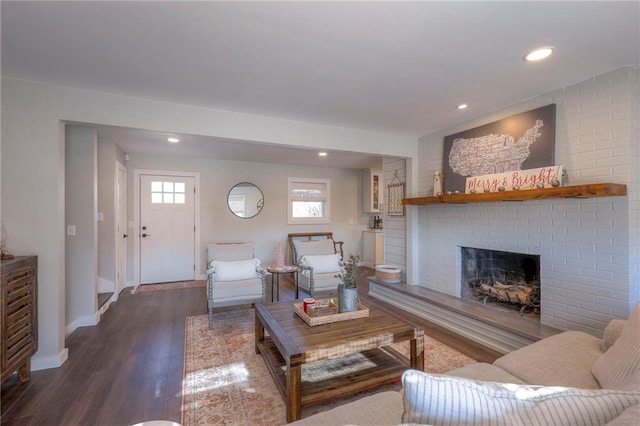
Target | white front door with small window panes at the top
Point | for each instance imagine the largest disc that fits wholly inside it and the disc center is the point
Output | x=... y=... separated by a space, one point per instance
x=167 y=229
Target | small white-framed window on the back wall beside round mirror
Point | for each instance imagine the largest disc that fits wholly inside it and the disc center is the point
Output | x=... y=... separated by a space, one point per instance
x=309 y=200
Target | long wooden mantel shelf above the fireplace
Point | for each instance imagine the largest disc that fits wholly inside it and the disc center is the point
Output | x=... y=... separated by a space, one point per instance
x=572 y=191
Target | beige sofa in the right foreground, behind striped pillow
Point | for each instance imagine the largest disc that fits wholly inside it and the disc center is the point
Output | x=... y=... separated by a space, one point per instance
x=568 y=359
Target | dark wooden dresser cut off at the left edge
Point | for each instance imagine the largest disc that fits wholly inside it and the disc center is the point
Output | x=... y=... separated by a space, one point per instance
x=19 y=332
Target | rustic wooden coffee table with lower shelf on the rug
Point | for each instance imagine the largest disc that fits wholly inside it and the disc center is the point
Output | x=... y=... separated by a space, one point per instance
x=291 y=343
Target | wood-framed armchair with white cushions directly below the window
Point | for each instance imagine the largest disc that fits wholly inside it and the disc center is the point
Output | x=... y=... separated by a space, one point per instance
x=319 y=258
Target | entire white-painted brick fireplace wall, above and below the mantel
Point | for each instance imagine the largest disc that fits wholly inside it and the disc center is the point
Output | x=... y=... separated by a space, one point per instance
x=590 y=261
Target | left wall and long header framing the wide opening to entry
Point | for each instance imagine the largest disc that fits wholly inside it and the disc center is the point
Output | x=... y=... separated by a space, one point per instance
x=33 y=164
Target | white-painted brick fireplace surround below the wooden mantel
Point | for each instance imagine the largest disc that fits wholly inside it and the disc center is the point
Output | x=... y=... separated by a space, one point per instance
x=582 y=245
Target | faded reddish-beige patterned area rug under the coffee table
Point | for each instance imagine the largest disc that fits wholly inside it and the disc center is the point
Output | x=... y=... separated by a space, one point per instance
x=226 y=383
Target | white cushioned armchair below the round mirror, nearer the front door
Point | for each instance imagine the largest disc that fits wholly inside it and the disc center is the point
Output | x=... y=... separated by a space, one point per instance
x=234 y=276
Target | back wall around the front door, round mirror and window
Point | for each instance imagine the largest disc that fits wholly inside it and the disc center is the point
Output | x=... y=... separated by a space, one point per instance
x=270 y=226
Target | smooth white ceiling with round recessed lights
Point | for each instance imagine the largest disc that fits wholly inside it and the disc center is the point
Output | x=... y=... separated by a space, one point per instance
x=393 y=67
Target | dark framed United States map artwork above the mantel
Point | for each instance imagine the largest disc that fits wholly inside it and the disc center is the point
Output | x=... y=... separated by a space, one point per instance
x=520 y=142
